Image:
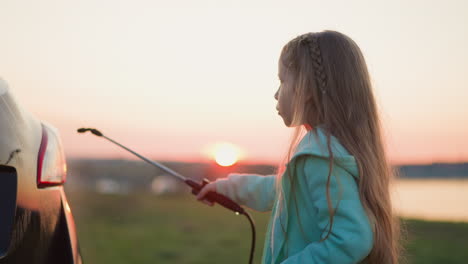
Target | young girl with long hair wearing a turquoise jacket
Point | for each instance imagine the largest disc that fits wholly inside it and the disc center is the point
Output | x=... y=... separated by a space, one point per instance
x=330 y=202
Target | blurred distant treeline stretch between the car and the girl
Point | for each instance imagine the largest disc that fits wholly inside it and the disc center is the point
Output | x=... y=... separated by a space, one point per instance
x=138 y=175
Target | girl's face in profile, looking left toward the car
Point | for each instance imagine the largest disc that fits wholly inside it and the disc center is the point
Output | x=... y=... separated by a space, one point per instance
x=285 y=95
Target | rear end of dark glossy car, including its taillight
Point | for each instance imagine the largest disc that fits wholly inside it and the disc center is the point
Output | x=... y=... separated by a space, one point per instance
x=36 y=224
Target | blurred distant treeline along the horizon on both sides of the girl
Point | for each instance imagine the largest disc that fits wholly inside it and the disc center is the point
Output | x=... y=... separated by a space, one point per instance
x=134 y=171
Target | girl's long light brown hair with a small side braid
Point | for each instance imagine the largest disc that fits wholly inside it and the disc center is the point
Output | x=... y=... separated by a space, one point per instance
x=333 y=89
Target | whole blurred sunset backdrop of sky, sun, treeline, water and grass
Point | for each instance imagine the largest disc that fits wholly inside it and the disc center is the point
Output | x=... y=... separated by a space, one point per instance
x=191 y=84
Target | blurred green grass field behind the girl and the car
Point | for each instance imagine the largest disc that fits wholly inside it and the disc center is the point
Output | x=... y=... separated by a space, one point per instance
x=145 y=228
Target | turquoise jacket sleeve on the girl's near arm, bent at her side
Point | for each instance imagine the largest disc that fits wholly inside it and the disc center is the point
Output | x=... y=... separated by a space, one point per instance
x=351 y=236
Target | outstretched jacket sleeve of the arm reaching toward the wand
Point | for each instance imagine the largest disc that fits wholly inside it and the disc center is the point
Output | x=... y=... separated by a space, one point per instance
x=252 y=190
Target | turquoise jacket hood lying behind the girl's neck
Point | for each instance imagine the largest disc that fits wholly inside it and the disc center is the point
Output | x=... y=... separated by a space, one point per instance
x=314 y=143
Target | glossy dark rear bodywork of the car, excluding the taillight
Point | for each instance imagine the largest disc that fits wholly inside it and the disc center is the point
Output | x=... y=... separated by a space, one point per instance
x=42 y=215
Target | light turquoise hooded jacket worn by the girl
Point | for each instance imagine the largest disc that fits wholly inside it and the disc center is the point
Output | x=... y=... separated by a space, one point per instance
x=351 y=238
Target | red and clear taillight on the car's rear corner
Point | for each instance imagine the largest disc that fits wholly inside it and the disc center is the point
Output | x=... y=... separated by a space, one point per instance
x=51 y=163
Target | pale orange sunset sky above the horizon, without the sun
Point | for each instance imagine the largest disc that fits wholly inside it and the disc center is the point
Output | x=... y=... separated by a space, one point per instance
x=170 y=79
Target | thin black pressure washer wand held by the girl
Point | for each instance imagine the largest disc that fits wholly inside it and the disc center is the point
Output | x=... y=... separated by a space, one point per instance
x=196 y=187
